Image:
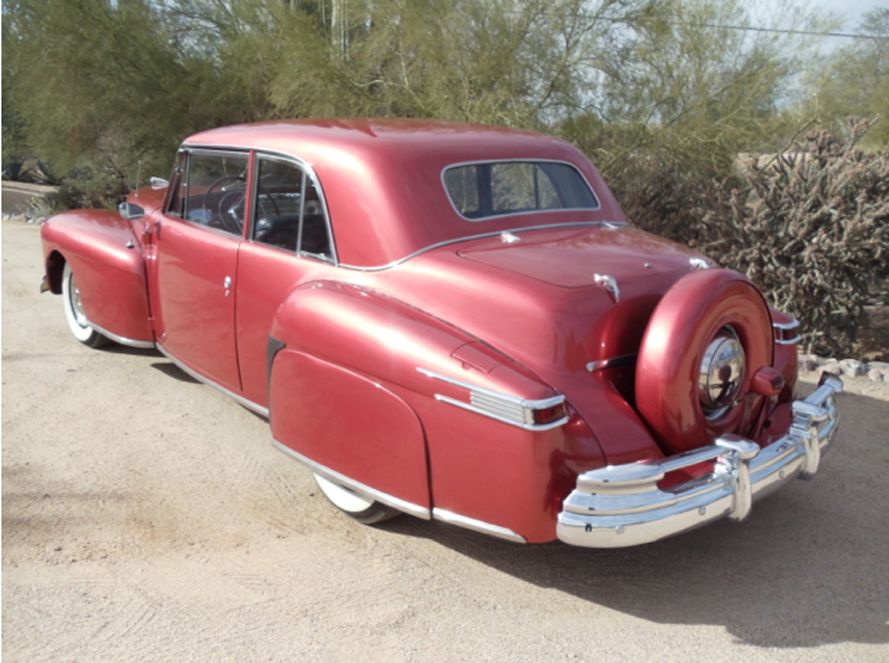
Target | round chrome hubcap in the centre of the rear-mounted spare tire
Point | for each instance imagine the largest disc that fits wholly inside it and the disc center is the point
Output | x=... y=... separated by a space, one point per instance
x=721 y=373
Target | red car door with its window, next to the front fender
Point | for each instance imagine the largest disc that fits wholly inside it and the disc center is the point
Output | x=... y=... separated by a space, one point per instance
x=195 y=244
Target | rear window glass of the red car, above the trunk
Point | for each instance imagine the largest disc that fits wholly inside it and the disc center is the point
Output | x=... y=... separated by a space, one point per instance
x=482 y=190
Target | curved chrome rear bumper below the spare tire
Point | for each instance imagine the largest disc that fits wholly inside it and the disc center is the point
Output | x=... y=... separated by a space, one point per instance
x=622 y=505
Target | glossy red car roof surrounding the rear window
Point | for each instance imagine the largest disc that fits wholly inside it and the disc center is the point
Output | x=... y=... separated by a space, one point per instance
x=381 y=178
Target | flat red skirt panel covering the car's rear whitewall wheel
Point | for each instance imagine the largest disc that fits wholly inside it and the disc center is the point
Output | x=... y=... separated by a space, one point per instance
x=347 y=425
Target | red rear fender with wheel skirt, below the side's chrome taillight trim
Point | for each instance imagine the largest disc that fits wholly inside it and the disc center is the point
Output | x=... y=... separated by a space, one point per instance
x=346 y=393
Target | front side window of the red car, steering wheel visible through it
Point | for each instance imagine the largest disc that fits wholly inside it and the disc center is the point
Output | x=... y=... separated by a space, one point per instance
x=217 y=190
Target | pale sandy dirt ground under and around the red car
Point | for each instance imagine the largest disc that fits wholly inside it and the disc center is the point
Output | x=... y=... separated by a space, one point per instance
x=146 y=517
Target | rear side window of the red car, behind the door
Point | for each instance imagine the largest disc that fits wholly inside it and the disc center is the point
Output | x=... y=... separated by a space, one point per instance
x=289 y=213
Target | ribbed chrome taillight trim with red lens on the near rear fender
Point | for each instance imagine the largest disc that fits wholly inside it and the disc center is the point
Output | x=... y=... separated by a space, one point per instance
x=506 y=408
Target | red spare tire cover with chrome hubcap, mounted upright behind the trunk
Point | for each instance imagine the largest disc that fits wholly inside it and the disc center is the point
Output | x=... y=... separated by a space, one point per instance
x=706 y=314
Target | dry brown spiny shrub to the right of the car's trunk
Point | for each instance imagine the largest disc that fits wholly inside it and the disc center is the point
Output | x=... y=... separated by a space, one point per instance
x=811 y=228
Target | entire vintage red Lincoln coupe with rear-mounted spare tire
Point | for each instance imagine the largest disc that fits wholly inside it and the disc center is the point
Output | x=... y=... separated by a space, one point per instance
x=455 y=322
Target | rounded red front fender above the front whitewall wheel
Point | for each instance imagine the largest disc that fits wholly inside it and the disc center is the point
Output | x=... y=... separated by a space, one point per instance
x=107 y=260
